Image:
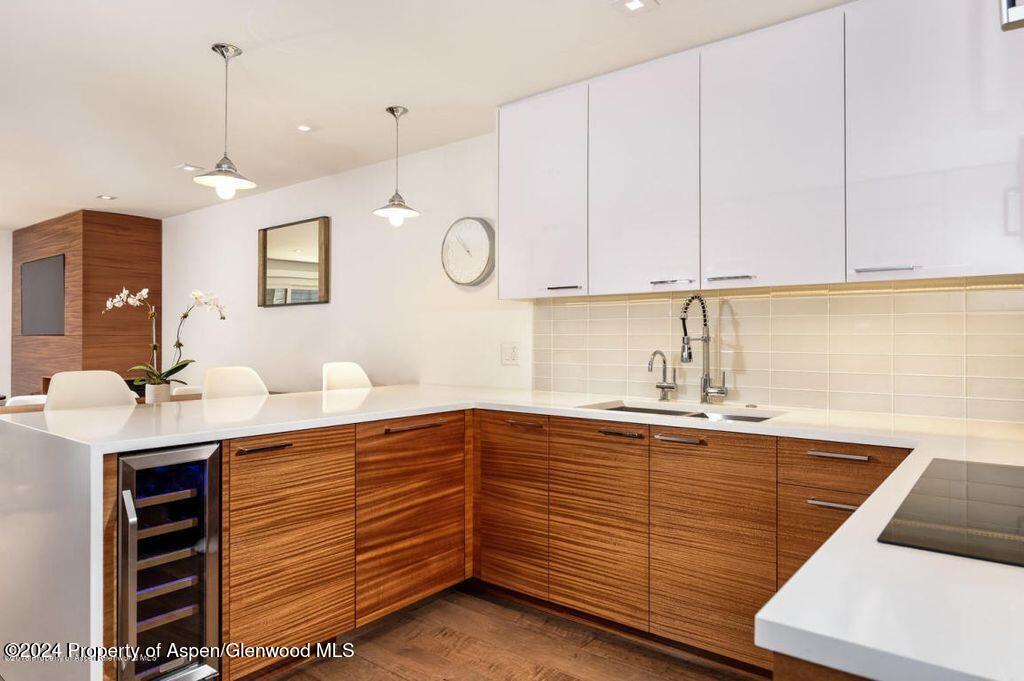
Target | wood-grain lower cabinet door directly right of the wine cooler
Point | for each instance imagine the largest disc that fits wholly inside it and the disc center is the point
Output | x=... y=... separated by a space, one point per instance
x=289 y=532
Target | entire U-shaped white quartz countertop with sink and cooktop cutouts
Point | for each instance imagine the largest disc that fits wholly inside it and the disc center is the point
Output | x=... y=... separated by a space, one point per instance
x=870 y=609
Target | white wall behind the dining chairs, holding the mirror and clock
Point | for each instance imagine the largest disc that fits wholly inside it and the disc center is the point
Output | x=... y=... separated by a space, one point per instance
x=393 y=310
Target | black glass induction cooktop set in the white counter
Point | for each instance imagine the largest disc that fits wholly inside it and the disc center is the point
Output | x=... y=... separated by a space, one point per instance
x=967 y=509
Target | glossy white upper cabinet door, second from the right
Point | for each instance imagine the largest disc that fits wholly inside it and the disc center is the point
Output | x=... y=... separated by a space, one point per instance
x=773 y=156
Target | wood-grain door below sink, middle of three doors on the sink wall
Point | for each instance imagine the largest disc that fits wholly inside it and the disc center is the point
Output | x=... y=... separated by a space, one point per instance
x=600 y=517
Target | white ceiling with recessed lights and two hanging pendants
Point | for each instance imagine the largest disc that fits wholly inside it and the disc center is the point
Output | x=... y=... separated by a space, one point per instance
x=107 y=98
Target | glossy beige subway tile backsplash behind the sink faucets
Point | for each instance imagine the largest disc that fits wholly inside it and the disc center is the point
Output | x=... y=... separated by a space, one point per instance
x=949 y=349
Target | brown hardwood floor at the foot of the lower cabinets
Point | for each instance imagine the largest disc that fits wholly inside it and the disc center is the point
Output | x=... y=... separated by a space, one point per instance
x=463 y=637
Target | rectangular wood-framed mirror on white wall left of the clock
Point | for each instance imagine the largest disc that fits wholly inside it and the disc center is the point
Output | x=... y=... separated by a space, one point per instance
x=295 y=264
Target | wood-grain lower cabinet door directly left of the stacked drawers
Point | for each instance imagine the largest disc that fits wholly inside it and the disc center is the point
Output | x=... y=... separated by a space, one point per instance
x=712 y=539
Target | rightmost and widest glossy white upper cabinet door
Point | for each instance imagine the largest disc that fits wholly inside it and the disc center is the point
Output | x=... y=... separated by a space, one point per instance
x=935 y=129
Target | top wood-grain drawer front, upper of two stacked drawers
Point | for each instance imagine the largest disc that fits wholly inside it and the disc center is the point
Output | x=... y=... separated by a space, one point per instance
x=840 y=466
